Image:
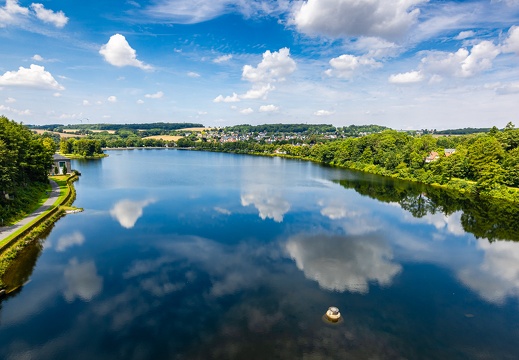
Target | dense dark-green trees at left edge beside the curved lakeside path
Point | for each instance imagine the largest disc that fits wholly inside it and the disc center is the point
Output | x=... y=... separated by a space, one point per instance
x=25 y=160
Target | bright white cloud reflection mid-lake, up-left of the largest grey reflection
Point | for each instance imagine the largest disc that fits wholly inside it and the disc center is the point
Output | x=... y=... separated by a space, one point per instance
x=269 y=206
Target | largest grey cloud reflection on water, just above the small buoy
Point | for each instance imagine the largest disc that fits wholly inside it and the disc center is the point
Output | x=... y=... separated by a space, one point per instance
x=341 y=263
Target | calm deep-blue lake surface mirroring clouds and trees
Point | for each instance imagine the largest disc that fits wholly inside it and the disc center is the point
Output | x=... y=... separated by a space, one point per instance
x=198 y=255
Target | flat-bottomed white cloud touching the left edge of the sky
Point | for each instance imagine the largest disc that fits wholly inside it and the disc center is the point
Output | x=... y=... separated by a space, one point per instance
x=33 y=77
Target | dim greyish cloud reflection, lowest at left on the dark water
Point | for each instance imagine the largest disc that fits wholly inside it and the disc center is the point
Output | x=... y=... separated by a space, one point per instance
x=81 y=281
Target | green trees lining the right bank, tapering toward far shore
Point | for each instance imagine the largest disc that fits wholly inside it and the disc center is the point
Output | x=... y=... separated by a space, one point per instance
x=483 y=164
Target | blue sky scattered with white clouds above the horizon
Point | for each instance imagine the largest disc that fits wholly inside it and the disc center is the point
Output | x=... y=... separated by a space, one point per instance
x=406 y=64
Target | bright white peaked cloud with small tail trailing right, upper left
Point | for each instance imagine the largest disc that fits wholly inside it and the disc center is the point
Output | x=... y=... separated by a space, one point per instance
x=119 y=53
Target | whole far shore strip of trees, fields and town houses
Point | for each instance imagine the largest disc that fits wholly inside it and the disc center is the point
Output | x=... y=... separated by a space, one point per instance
x=483 y=162
